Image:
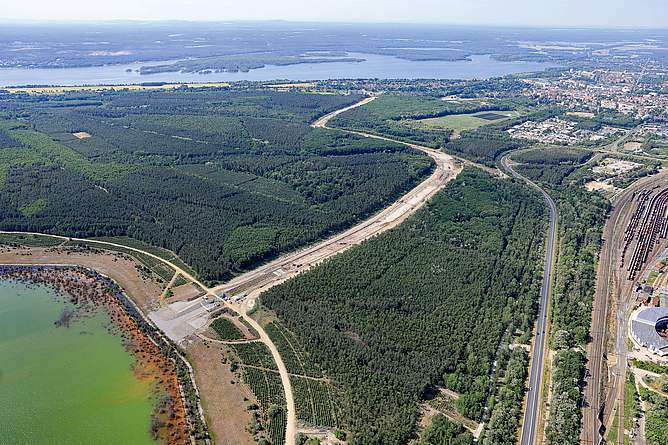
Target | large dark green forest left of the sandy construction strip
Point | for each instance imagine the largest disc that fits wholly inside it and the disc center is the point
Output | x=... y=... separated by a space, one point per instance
x=223 y=176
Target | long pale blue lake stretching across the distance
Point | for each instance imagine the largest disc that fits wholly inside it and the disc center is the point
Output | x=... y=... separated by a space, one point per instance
x=375 y=66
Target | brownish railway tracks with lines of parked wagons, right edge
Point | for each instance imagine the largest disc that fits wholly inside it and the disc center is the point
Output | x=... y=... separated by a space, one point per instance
x=629 y=218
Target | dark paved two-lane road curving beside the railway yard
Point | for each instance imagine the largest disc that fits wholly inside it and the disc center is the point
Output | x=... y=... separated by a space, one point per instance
x=532 y=406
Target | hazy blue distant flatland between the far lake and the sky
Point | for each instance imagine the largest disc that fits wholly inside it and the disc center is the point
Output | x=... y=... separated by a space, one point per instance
x=79 y=44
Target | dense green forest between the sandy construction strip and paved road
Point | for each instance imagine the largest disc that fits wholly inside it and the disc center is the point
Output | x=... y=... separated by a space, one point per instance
x=424 y=304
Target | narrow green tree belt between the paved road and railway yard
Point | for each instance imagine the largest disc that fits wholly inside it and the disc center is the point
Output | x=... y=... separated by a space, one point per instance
x=582 y=215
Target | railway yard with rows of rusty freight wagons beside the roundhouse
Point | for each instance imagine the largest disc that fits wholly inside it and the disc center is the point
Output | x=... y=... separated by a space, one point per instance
x=634 y=240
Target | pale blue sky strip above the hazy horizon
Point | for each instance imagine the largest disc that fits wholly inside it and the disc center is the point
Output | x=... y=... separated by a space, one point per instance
x=566 y=13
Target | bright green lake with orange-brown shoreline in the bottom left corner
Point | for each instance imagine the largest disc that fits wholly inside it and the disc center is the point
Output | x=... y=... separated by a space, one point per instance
x=62 y=384
